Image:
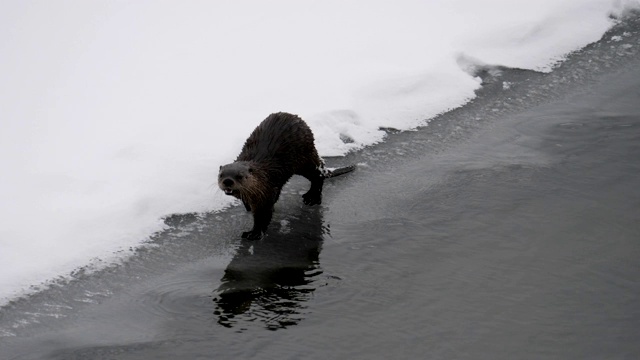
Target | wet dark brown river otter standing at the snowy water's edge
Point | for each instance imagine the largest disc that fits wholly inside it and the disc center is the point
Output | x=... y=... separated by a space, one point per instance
x=281 y=146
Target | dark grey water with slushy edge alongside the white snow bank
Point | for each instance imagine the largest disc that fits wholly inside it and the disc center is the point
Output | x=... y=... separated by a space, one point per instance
x=514 y=237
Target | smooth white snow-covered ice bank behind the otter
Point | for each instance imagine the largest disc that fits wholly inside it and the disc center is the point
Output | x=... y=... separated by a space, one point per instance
x=115 y=114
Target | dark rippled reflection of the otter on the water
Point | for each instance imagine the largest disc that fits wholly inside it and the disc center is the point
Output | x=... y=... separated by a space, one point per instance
x=269 y=280
